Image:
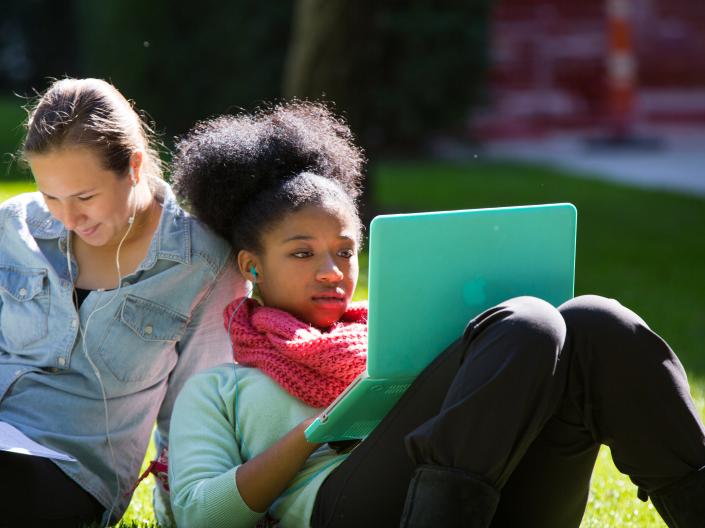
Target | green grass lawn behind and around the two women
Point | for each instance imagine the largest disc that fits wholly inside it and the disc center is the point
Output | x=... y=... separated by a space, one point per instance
x=642 y=247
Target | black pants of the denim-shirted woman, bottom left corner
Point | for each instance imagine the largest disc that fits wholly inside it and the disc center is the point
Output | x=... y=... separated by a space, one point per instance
x=35 y=492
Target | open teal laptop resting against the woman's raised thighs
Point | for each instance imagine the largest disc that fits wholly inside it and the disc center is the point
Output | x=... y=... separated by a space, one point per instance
x=429 y=274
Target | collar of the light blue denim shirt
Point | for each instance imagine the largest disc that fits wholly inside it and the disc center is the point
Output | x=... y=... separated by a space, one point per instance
x=172 y=240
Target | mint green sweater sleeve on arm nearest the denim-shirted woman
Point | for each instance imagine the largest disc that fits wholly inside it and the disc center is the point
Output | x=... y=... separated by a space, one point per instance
x=204 y=456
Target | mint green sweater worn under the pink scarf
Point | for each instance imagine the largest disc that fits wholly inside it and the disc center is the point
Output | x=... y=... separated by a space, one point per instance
x=223 y=417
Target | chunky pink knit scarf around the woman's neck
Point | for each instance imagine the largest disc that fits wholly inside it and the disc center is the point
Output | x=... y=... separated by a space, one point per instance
x=313 y=365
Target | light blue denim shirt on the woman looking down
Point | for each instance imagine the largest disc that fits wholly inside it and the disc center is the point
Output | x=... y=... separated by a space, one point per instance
x=165 y=324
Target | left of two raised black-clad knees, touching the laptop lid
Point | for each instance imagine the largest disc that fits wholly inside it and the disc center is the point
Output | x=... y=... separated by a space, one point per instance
x=539 y=329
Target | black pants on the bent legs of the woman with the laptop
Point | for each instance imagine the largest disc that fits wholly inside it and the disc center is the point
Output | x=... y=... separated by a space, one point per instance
x=524 y=399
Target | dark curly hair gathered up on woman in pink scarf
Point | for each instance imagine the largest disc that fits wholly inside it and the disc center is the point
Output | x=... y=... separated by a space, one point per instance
x=242 y=174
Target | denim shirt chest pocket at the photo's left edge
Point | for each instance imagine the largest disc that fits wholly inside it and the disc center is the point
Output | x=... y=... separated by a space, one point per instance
x=24 y=306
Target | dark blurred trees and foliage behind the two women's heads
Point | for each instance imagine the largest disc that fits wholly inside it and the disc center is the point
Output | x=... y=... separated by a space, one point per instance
x=399 y=70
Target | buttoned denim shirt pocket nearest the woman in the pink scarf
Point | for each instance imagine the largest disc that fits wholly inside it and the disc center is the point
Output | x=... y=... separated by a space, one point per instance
x=140 y=344
